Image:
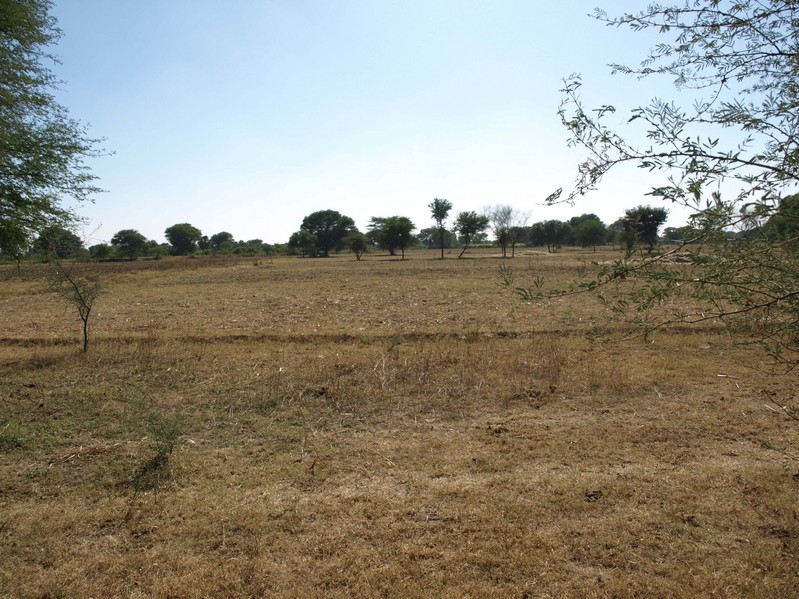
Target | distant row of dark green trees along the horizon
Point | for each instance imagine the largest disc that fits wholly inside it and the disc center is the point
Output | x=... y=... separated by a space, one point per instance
x=327 y=231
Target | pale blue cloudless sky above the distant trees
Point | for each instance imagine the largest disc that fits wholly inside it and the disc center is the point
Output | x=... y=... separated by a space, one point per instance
x=247 y=115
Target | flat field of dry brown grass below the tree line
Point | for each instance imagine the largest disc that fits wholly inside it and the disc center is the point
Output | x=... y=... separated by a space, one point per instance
x=384 y=428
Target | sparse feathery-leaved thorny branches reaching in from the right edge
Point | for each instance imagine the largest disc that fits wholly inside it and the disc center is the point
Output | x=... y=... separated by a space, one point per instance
x=736 y=65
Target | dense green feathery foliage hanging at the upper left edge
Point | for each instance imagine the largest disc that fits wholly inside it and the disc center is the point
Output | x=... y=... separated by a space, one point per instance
x=43 y=151
